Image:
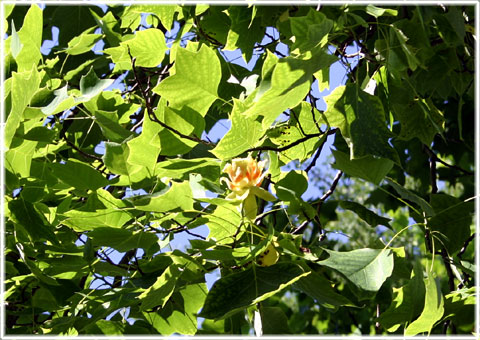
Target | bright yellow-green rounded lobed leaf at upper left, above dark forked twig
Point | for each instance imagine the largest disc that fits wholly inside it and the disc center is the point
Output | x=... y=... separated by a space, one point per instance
x=148 y=47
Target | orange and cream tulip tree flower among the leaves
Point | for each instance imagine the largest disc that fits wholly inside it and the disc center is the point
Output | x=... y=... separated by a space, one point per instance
x=245 y=177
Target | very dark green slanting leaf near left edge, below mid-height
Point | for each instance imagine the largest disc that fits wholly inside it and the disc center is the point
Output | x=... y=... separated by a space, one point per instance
x=24 y=213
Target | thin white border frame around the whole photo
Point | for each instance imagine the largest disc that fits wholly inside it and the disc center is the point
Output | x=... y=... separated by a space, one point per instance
x=476 y=4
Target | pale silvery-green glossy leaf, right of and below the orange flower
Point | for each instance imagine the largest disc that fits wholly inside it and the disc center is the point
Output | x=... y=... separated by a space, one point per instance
x=365 y=268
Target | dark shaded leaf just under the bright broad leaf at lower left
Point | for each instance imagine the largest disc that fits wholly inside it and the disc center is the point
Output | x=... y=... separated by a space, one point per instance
x=121 y=239
